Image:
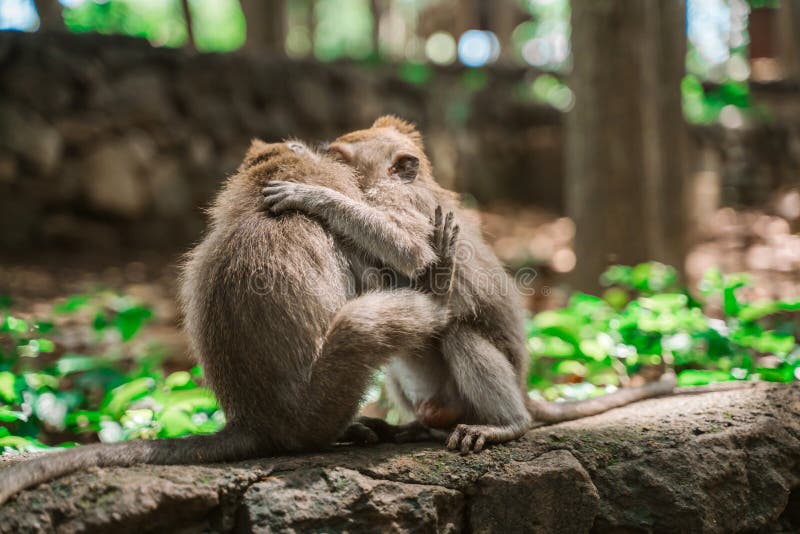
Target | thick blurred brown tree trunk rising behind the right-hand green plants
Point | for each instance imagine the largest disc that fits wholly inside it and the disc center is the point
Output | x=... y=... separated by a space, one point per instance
x=626 y=135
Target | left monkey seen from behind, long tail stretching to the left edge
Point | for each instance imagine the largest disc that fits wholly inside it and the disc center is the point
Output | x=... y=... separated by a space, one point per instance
x=266 y=308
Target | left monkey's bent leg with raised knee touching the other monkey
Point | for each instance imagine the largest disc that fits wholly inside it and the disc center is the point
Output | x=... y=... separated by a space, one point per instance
x=365 y=333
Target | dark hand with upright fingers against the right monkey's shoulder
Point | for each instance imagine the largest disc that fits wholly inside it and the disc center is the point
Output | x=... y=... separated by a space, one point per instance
x=438 y=277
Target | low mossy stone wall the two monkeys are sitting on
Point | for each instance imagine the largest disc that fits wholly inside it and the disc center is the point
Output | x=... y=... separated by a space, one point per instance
x=720 y=461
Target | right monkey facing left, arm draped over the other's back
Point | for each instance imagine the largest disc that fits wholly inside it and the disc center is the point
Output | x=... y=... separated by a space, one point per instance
x=478 y=389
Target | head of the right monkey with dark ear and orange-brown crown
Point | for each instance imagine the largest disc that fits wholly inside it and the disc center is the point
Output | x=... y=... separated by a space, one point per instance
x=391 y=149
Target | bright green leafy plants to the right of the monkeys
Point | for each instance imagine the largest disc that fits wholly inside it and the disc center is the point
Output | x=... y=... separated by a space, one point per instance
x=645 y=323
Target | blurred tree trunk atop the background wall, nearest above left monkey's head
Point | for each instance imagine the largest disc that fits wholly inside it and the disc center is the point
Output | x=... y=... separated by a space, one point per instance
x=266 y=25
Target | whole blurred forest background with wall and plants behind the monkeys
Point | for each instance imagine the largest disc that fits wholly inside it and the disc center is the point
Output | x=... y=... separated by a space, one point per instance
x=661 y=135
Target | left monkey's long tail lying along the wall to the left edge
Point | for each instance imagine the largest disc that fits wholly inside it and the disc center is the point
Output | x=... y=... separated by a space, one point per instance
x=226 y=445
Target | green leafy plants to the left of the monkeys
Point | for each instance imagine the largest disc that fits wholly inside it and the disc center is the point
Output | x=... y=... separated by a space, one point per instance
x=116 y=390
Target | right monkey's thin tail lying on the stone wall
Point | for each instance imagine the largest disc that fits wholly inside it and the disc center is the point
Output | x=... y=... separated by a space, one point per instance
x=557 y=412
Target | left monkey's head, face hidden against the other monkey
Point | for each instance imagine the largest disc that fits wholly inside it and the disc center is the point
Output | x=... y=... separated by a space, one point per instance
x=294 y=161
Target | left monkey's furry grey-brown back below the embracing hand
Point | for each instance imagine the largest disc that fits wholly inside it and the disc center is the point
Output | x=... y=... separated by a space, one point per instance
x=258 y=294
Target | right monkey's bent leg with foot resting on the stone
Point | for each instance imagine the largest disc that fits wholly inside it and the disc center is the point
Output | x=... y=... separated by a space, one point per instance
x=488 y=385
